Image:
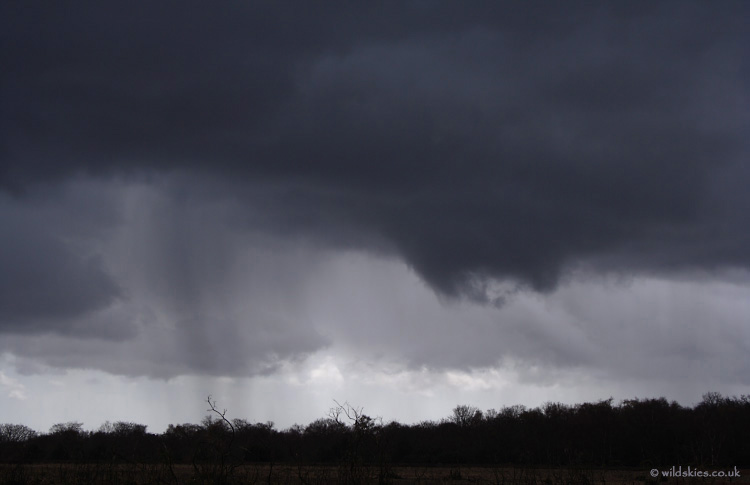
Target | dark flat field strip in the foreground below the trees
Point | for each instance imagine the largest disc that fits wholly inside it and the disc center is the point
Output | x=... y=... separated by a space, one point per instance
x=137 y=474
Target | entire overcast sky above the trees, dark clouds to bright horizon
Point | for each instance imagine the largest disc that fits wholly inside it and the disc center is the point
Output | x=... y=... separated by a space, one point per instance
x=404 y=205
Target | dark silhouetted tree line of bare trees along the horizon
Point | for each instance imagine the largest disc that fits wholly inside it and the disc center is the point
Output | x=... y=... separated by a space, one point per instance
x=632 y=433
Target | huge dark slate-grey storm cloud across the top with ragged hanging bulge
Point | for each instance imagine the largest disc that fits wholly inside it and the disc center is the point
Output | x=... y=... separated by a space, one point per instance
x=478 y=141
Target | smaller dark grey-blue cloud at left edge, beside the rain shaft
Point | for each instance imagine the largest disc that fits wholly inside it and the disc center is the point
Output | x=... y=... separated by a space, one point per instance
x=51 y=279
